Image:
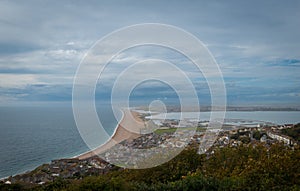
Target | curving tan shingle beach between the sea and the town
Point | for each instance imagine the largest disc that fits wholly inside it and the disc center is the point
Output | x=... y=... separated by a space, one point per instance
x=128 y=129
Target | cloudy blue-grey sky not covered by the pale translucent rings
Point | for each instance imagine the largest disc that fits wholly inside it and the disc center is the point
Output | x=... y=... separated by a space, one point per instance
x=255 y=43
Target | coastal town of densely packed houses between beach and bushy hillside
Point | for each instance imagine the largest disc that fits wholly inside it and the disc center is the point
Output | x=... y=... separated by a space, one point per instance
x=167 y=136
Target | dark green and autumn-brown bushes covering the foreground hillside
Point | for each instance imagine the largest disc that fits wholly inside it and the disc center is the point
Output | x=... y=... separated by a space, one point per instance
x=238 y=168
